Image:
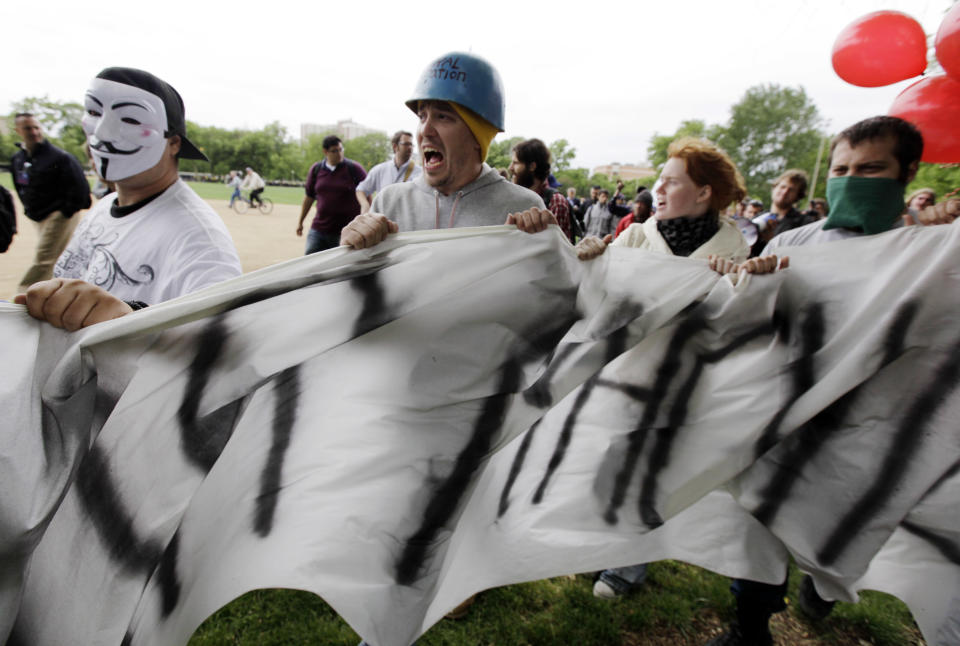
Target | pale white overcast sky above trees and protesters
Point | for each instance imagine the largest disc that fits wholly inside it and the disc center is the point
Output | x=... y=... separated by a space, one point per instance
x=604 y=75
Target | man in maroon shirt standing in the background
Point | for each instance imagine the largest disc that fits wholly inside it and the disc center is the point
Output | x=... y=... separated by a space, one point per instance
x=332 y=184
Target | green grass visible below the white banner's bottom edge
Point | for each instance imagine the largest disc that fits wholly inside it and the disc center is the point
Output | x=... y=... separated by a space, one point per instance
x=678 y=605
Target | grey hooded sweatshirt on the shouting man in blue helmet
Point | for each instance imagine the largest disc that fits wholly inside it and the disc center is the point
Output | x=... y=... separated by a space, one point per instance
x=485 y=201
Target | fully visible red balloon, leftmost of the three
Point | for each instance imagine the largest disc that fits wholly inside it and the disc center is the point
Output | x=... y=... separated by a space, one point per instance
x=880 y=48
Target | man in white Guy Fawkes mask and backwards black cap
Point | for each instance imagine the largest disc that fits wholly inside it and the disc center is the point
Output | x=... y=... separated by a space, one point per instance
x=154 y=239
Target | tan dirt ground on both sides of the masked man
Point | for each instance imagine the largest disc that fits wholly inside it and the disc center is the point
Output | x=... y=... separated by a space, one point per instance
x=262 y=240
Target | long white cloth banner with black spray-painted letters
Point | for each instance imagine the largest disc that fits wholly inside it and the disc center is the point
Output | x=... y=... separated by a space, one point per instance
x=398 y=428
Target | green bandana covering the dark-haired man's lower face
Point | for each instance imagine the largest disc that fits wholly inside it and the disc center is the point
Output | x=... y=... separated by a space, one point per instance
x=871 y=204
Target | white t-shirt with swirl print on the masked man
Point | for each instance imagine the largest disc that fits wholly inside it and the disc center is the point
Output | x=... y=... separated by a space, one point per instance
x=171 y=246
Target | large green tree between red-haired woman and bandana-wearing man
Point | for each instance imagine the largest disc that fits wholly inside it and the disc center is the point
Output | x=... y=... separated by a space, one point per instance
x=771 y=129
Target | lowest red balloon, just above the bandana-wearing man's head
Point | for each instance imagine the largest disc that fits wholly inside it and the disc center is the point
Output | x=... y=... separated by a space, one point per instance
x=933 y=105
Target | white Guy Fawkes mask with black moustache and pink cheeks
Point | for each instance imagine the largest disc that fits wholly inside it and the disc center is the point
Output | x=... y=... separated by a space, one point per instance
x=125 y=128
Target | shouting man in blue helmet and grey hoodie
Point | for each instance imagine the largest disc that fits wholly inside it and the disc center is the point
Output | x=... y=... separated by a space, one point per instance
x=459 y=102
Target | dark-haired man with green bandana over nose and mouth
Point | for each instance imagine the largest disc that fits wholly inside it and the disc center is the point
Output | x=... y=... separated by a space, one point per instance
x=871 y=163
